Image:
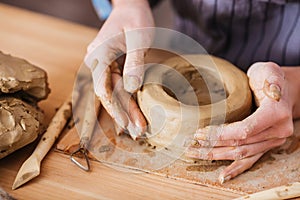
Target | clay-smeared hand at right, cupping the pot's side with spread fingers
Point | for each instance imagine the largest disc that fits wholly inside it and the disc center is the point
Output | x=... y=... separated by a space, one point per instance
x=276 y=92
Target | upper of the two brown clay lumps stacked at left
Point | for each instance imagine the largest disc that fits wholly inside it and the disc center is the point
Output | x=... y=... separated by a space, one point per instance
x=18 y=75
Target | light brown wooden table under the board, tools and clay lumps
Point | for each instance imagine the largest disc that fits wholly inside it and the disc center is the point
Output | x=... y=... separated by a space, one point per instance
x=59 y=47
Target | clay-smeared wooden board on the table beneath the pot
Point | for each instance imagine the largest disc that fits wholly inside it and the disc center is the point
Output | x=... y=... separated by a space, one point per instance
x=278 y=167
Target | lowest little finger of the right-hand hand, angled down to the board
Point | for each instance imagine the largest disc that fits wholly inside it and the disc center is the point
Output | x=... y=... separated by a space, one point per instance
x=238 y=167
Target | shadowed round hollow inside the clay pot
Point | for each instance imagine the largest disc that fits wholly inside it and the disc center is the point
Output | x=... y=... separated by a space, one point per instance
x=188 y=82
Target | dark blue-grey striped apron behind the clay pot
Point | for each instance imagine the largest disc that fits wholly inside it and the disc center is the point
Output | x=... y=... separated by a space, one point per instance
x=243 y=31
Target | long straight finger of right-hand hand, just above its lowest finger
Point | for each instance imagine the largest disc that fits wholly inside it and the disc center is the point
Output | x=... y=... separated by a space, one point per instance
x=233 y=153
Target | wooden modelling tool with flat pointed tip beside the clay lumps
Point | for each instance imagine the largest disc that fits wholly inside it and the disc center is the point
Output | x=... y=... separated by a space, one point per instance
x=31 y=167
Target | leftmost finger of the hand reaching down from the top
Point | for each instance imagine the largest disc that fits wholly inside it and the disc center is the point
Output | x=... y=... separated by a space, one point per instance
x=103 y=89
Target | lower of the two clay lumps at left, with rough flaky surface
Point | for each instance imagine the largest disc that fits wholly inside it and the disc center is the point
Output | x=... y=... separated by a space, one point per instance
x=20 y=124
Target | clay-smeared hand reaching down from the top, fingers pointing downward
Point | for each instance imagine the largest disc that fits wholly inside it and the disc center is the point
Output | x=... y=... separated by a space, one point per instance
x=123 y=33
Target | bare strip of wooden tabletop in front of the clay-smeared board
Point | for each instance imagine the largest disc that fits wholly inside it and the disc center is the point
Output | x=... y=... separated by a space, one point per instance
x=61 y=179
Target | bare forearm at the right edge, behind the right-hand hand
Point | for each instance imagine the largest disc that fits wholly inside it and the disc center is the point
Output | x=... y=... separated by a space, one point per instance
x=292 y=75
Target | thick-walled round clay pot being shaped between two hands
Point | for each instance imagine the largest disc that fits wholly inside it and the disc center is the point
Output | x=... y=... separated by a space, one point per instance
x=189 y=92
